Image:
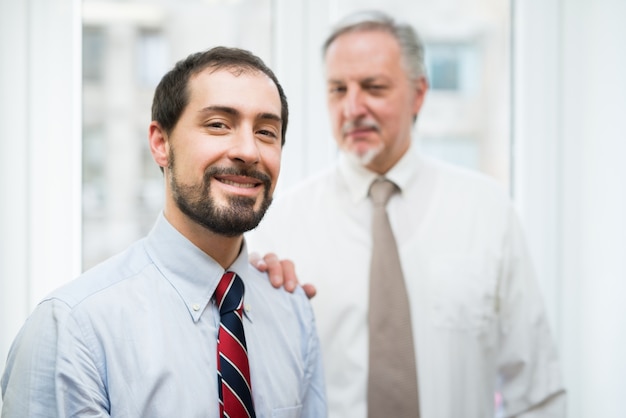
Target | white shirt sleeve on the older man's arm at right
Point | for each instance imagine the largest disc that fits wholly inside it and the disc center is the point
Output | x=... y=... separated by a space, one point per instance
x=529 y=371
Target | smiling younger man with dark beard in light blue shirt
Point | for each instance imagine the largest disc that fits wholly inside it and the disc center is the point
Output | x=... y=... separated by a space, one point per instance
x=164 y=329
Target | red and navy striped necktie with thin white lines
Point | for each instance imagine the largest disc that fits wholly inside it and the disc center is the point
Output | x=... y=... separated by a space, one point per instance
x=233 y=371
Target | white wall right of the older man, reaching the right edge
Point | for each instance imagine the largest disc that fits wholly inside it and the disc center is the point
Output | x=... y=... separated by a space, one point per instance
x=570 y=147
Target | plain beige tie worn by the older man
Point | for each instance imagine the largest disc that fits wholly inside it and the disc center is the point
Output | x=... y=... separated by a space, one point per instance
x=392 y=383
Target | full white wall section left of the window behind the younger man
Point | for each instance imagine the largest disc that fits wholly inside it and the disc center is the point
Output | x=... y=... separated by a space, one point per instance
x=39 y=154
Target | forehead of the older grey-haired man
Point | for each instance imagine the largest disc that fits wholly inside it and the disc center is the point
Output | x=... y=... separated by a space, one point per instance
x=362 y=54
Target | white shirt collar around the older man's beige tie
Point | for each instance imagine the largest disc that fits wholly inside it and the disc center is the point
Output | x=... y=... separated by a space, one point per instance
x=358 y=178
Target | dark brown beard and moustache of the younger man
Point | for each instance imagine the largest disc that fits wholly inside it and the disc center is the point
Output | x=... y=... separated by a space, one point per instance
x=237 y=217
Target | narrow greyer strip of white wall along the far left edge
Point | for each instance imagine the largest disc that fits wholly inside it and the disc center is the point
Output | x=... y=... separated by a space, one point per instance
x=13 y=171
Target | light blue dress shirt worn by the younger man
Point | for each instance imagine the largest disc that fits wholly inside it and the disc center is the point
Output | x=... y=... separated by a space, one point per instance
x=136 y=337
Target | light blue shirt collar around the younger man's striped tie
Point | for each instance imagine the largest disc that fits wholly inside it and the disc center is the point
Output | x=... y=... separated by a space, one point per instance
x=193 y=274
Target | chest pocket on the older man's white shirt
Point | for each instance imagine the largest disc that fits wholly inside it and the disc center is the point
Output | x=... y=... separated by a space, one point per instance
x=462 y=291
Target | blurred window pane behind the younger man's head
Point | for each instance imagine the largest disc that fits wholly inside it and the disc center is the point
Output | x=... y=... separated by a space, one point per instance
x=127 y=47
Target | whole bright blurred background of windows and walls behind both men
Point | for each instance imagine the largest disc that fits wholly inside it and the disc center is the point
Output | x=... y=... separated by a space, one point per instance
x=530 y=92
